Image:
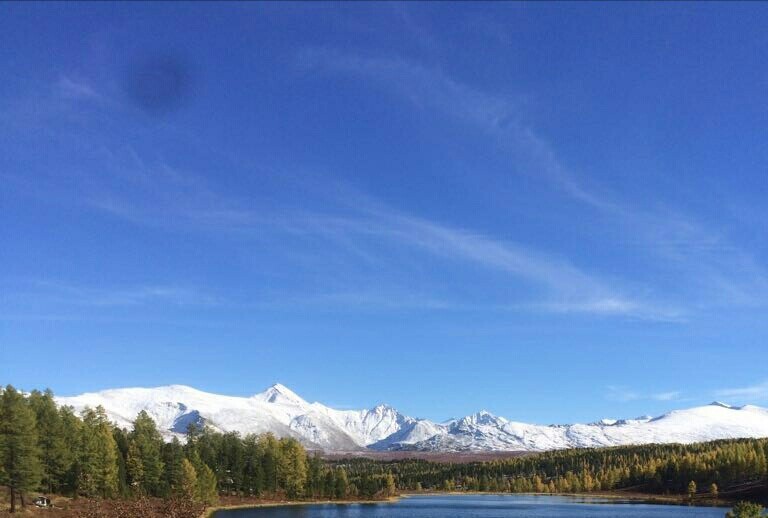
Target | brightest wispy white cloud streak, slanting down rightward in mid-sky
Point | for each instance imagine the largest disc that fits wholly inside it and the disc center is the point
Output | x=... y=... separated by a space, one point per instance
x=567 y=289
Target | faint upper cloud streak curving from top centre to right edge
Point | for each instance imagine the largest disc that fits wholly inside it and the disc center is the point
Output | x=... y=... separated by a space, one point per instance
x=717 y=272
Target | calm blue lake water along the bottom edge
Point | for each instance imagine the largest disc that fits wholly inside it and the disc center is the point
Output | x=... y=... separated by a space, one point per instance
x=460 y=506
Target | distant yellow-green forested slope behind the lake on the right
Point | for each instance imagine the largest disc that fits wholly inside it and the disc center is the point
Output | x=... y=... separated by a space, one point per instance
x=721 y=468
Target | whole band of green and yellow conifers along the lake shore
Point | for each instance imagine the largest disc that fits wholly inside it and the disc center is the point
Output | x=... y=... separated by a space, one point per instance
x=109 y=471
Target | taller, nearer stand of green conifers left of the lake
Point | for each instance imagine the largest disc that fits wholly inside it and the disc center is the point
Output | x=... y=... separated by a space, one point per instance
x=48 y=449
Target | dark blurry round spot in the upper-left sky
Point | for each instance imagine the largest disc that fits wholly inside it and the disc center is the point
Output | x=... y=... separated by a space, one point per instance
x=158 y=83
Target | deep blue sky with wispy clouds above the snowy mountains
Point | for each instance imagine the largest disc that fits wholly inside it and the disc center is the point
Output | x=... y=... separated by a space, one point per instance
x=552 y=211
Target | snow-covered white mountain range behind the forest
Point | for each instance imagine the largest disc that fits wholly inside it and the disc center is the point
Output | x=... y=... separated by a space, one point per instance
x=382 y=428
